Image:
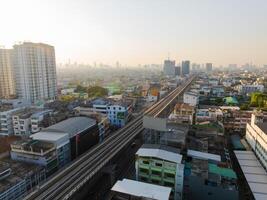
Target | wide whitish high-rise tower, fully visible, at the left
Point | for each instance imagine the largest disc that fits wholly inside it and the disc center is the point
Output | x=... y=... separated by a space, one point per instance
x=35 y=71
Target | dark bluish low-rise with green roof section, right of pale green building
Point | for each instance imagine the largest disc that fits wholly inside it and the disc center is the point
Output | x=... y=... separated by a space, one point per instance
x=207 y=178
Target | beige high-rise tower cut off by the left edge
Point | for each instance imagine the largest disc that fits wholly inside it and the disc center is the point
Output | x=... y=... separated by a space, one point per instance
x=7 y=88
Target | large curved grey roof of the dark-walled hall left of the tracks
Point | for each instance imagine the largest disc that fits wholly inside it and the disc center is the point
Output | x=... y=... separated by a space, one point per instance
x=72 y=126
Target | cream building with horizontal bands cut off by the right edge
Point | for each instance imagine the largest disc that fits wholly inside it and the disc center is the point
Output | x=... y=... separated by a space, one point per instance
x=256 y=136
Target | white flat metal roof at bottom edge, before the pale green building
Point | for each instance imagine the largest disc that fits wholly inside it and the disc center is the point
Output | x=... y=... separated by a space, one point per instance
x=141 y=189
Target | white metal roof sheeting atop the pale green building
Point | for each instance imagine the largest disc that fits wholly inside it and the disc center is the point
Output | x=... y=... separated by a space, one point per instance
x=160 y=153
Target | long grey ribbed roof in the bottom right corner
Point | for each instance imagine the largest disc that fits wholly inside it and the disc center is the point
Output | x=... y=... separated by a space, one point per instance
x=254 y=173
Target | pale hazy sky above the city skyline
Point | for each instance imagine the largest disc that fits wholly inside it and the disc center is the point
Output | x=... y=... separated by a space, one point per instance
x=141 y=31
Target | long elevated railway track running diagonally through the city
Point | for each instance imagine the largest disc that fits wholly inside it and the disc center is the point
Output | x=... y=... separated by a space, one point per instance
x=71 y=178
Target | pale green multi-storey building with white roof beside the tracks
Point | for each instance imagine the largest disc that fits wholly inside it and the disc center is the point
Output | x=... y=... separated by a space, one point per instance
x=161 y=165
